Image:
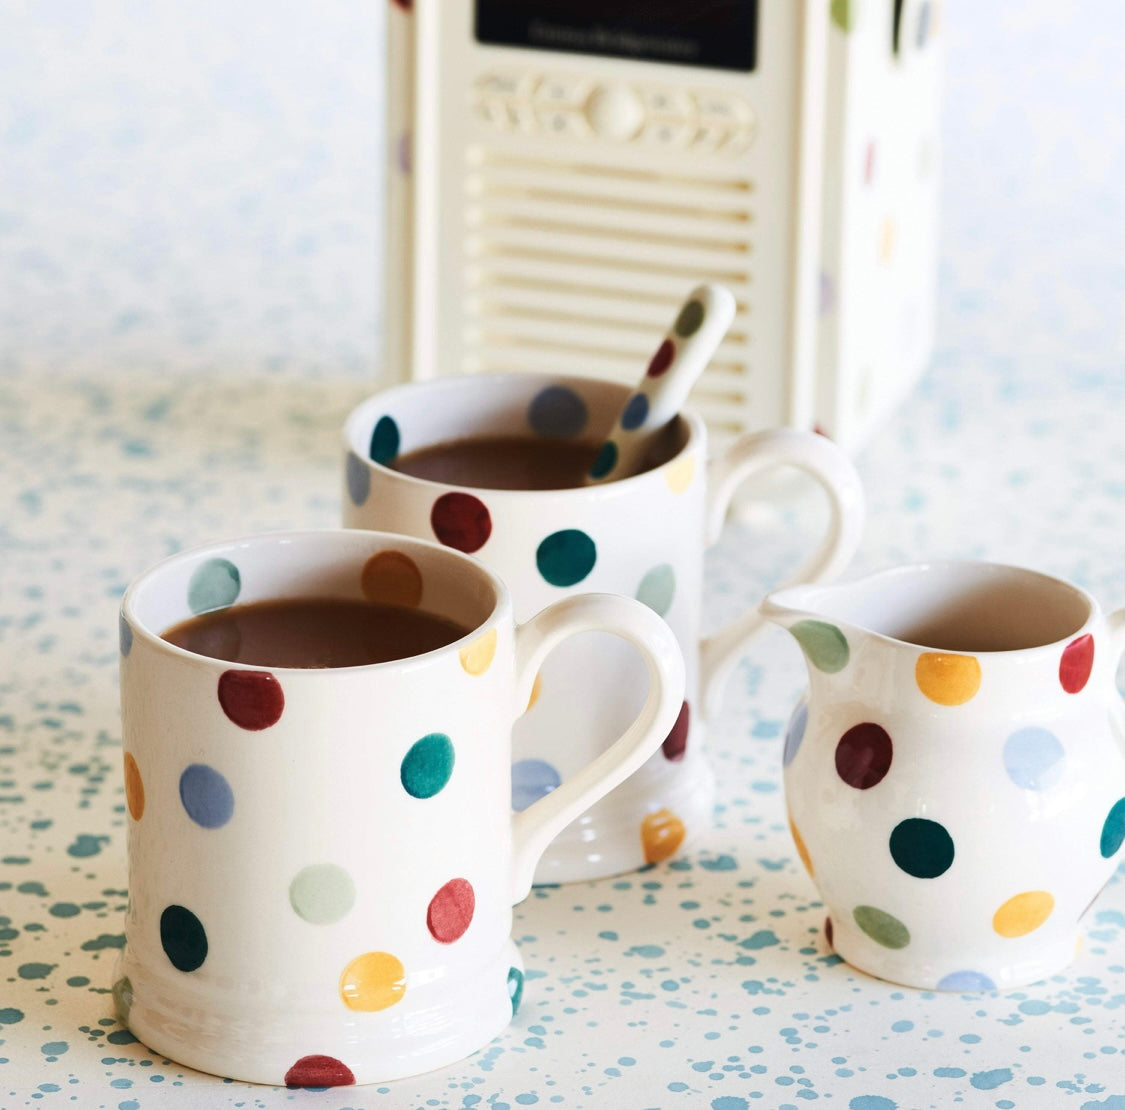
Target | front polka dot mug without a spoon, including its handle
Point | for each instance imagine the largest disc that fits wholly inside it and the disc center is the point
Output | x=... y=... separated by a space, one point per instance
x=323 y=862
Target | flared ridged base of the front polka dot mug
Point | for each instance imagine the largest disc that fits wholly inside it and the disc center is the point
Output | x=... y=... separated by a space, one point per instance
x=277 y=1043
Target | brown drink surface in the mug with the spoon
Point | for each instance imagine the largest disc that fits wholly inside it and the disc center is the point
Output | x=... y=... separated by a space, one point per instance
x=502 y=463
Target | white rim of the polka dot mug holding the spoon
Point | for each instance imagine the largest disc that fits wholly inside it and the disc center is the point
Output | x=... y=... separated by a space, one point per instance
x=696 y=434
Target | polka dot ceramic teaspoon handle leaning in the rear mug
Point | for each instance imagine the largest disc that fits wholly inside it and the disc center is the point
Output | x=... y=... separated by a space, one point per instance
x=697 y=333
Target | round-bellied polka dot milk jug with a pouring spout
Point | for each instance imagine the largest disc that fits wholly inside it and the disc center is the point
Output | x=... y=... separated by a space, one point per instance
x=956 y=777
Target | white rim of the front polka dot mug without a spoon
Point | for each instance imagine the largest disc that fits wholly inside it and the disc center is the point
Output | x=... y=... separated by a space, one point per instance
x=141 y=629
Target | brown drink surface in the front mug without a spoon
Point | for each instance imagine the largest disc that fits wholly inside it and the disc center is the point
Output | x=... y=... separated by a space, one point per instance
x=313 y=633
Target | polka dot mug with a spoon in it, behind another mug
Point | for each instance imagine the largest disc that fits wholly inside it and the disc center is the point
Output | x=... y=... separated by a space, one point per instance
x=643 y=537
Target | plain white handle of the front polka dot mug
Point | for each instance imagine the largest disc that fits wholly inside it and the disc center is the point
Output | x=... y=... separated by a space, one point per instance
x=535 y=828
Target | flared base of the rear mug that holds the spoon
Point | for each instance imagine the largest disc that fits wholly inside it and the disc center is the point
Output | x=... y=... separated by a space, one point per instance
x=646 y=820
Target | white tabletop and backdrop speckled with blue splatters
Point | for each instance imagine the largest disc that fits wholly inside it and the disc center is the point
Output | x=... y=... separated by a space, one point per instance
x=188 y=245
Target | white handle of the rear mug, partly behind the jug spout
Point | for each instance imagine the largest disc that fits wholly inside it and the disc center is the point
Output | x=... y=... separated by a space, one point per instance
x=818 y=457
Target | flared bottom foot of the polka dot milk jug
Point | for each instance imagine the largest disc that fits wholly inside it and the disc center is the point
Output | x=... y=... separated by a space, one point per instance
x=957 y=974
